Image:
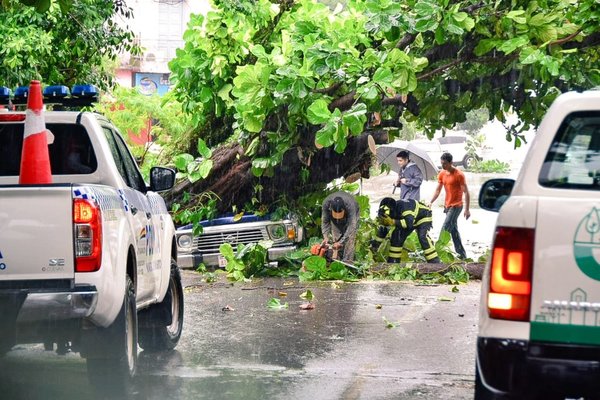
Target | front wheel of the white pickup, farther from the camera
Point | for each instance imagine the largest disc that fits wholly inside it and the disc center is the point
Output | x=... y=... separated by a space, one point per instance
x=163 y=322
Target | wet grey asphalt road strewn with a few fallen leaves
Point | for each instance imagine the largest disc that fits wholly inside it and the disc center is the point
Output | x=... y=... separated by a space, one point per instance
x=341 y=349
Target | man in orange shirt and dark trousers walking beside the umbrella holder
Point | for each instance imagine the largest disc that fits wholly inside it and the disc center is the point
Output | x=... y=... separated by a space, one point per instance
x=455 y=184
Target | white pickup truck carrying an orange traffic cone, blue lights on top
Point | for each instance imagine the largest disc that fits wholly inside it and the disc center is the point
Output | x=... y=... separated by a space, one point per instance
x=87 y=263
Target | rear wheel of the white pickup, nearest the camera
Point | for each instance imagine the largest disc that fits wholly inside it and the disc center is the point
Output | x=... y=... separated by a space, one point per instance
x=112 y=373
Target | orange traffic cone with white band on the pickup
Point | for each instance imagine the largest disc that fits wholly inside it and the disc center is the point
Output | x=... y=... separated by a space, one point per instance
x=35 y=159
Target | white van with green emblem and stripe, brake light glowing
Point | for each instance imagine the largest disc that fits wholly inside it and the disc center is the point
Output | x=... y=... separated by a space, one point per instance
x=539 y=322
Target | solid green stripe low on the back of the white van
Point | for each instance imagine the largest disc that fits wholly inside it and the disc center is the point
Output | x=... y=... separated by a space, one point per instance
x=564 y=333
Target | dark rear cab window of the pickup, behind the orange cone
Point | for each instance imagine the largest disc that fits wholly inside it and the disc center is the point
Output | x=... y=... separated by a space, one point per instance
x=71 y=152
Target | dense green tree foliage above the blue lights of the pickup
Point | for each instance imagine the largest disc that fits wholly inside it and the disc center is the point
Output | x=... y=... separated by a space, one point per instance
x=71 y=42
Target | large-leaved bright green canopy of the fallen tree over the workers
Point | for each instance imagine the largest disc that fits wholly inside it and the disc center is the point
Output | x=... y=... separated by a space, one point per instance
x=287 y=82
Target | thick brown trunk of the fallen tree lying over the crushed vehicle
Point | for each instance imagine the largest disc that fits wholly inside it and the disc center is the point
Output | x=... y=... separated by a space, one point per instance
x=232 y=180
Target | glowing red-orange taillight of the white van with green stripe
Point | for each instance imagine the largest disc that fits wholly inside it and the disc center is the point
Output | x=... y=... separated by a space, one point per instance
x=510 y=274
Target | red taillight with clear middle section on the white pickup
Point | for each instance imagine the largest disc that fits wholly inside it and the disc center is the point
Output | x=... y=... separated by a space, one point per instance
x=87 y=225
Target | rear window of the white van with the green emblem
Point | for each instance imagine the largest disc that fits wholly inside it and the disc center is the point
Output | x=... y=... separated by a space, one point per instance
x=573 y=161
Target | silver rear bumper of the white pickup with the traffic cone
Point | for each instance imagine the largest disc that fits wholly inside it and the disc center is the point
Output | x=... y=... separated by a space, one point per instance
x=52 y=306
